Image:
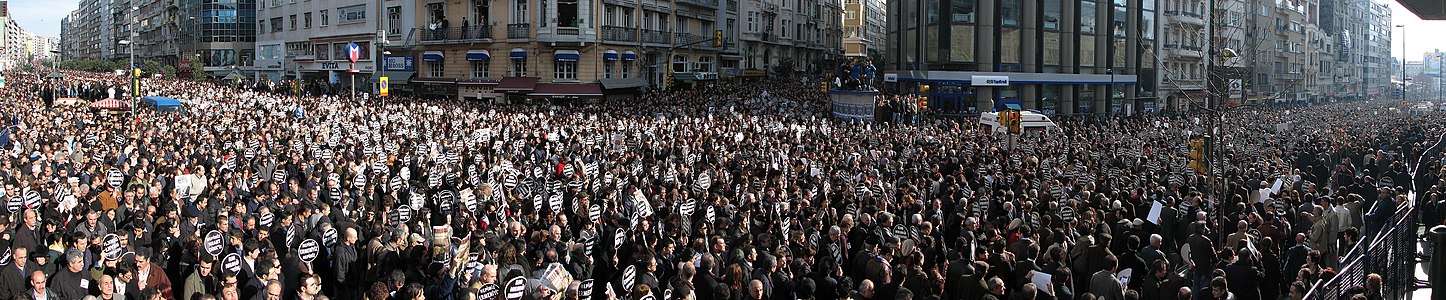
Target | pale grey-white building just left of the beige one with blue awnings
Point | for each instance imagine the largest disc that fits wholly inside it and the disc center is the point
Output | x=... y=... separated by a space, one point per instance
x=310 y=40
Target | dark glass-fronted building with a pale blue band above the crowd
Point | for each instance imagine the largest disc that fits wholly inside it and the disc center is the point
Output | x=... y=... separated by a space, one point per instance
x=1055 y=56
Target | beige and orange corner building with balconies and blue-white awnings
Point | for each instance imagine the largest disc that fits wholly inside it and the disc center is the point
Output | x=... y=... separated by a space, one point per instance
x=489 y=50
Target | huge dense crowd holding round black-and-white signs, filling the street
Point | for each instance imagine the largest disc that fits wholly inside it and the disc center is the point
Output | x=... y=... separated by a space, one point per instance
x=730 y=192
